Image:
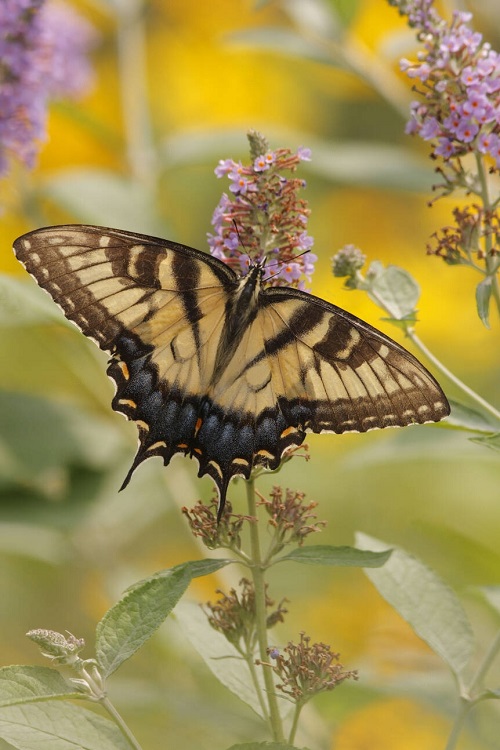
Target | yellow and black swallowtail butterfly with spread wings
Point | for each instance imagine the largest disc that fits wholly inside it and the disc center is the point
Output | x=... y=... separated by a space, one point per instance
x=219 y=367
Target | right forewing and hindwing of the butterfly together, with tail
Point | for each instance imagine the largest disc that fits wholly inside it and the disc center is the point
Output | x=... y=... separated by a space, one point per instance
x=305 y=365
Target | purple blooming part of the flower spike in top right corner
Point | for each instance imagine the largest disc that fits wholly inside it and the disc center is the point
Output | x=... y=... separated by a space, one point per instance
x=460 y=78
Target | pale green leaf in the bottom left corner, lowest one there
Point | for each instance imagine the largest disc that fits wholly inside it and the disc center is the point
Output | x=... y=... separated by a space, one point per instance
x=58 y=725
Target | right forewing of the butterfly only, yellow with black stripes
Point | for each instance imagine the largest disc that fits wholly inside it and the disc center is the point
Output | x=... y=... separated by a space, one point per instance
x=332 y=372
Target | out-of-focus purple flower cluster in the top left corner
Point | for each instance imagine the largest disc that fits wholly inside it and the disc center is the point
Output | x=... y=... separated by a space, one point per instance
x=43 y=47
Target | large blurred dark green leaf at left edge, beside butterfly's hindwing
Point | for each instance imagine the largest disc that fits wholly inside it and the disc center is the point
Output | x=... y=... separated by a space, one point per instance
x=52 y=450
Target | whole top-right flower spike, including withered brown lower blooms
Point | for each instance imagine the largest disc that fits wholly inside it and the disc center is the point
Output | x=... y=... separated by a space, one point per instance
x=458 y=77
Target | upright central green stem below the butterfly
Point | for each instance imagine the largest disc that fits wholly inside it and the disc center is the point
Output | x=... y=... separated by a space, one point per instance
x=257 y=569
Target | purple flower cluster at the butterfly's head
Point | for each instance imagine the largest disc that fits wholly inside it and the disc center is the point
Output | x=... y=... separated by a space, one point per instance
x=263 y=220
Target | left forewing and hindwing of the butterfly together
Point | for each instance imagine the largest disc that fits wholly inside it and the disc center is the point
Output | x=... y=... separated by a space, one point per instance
x=156 y=306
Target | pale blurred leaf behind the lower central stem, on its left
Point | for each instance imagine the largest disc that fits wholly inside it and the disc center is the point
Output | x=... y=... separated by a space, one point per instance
x=219 y=655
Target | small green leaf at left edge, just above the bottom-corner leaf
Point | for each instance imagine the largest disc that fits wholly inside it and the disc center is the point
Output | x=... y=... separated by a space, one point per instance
x=26 y=684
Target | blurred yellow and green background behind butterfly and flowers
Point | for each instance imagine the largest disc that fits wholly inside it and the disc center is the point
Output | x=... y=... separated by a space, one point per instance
x=139 y=152
